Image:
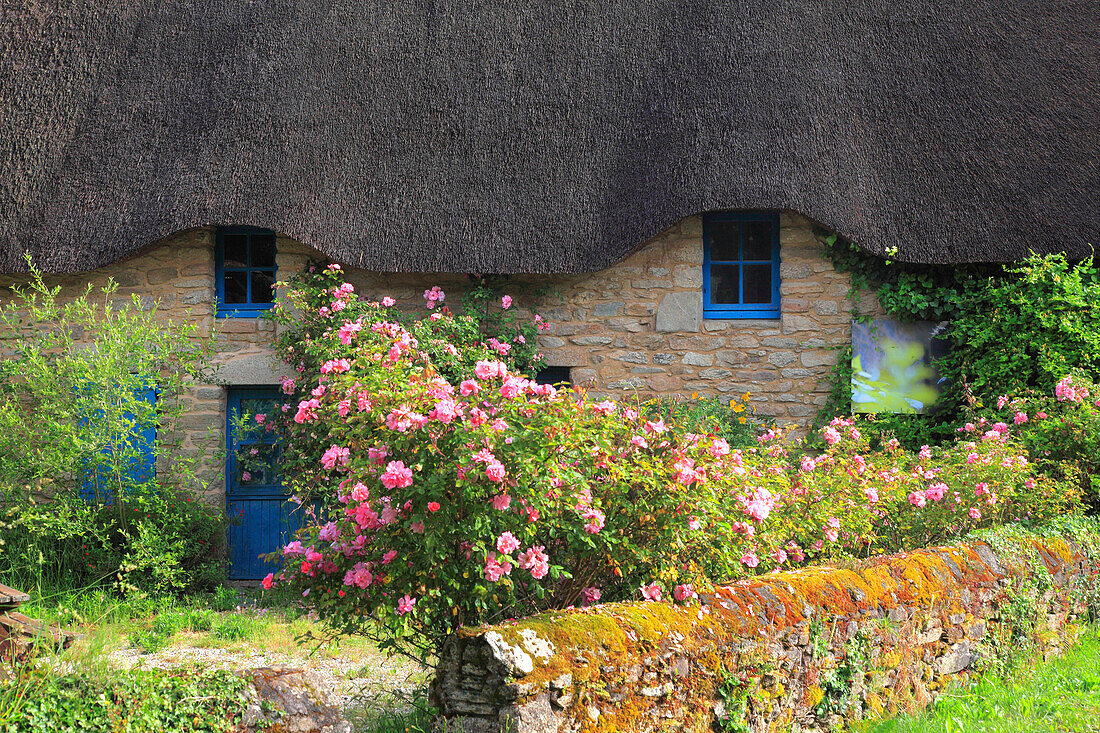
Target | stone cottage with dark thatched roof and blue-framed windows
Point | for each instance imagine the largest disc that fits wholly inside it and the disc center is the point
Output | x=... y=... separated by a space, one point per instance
x=657 y=170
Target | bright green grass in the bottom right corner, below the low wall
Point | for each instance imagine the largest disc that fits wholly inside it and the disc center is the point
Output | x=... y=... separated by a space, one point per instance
x=1060 y=696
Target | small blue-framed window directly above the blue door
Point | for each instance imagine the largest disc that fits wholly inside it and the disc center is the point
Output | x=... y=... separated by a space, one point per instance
x=245 y=271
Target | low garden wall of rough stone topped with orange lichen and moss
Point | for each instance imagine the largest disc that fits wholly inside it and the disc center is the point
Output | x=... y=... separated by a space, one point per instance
x=799 y=651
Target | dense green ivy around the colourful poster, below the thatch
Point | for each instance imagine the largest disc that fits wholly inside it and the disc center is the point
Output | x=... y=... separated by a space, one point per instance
x=1013 y=329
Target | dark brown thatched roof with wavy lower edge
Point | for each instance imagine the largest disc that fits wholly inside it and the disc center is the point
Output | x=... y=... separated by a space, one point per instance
x=494 y=137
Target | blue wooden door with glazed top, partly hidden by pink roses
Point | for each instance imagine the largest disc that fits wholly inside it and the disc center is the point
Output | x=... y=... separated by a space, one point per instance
x=263 y=518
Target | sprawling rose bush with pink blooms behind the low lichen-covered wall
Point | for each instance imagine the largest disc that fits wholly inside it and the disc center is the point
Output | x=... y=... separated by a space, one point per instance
x=460 y=493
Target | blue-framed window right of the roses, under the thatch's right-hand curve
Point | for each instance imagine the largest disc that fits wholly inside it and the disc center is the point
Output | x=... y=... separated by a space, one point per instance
x=741 y=265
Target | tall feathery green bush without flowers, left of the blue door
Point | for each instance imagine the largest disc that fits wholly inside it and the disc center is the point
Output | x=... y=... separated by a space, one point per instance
x=75 y=422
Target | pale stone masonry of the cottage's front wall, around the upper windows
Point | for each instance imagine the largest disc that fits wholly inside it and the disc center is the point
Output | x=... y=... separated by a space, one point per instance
x=634 y=327
